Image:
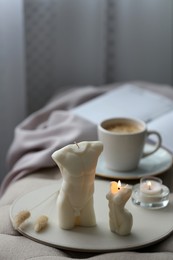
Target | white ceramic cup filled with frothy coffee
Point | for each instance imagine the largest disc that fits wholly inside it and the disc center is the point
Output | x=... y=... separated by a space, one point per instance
x=123 y=140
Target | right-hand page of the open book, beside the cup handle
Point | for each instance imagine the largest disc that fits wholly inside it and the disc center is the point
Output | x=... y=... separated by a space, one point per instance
x=164 y=125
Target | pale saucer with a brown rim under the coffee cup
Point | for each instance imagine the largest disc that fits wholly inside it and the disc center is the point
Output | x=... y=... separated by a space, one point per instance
x=154 y=164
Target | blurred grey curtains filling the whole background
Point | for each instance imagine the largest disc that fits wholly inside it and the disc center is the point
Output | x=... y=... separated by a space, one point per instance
x=52 y=45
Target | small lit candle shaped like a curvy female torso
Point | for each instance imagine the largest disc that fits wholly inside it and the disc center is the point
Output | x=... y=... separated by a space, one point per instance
x=120 y=219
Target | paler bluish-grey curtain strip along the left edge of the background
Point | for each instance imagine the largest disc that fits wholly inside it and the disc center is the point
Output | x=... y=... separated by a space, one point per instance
x=12 y=74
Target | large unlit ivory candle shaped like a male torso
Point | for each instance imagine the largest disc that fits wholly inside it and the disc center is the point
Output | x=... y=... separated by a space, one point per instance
x=77 y=163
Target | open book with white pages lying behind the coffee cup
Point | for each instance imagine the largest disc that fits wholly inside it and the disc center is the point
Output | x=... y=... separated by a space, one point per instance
x=132 y=101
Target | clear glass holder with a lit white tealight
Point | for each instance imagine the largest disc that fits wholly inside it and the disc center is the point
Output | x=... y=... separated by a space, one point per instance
x=150 y=193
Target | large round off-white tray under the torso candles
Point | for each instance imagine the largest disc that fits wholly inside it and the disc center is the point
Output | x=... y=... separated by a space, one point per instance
x=147 y=226
